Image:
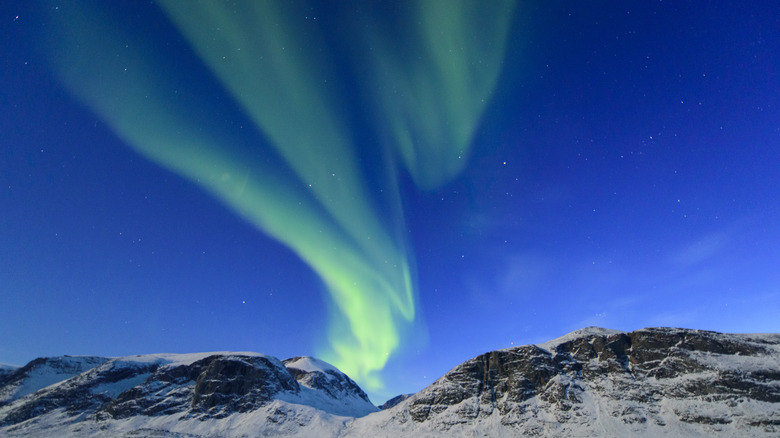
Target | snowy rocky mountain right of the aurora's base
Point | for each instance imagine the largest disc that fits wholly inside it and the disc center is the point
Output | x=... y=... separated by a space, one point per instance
x=597 y=382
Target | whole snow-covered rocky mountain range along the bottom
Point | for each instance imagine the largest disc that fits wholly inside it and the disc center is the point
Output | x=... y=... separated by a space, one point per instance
x=592 y=382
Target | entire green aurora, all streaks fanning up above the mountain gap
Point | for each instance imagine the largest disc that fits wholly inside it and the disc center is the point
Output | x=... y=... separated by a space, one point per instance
x=427 y=95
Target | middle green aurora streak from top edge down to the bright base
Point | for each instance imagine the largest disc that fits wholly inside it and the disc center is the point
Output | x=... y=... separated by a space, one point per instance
x=277 y=70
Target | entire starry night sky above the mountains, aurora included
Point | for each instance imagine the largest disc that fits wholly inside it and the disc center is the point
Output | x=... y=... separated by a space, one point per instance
x=394 y=188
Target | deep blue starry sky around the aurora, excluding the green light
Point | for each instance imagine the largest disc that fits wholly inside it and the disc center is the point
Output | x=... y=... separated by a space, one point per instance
x=625 y=173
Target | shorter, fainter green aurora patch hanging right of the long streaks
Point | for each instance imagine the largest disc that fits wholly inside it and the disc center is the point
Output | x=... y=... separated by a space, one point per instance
x=434 y=78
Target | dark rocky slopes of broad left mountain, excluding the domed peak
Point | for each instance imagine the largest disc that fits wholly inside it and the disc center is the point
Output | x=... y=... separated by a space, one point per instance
x=212 y=387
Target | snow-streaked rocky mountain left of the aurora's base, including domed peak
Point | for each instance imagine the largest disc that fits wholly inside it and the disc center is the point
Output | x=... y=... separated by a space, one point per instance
x=184 y=392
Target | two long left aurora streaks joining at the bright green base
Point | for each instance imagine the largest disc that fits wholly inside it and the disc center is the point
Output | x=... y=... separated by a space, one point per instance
x=322 y=214
